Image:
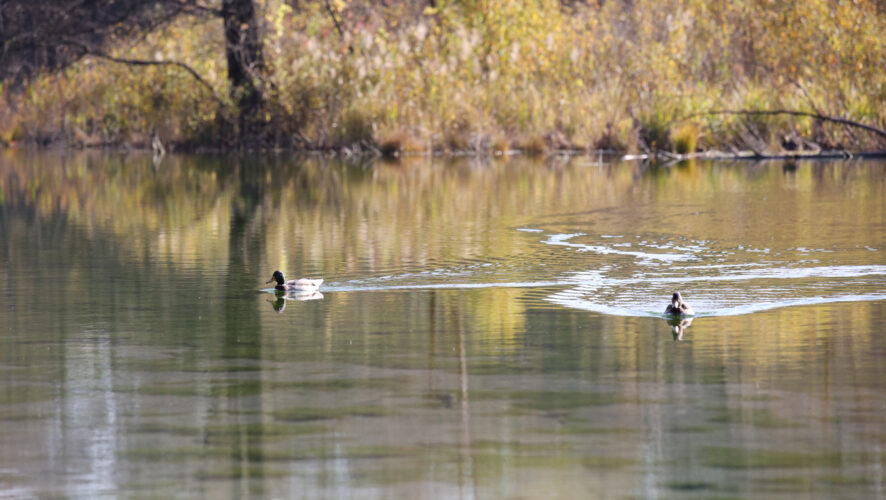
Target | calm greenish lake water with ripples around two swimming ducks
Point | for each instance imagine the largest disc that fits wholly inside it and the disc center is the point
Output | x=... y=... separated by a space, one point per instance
x=487 y=329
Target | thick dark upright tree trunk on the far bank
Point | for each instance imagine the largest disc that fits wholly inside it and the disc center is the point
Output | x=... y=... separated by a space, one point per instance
x=243 y=50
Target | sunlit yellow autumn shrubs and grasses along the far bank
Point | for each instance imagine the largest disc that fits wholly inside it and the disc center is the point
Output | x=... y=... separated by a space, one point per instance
x=488 y=76
